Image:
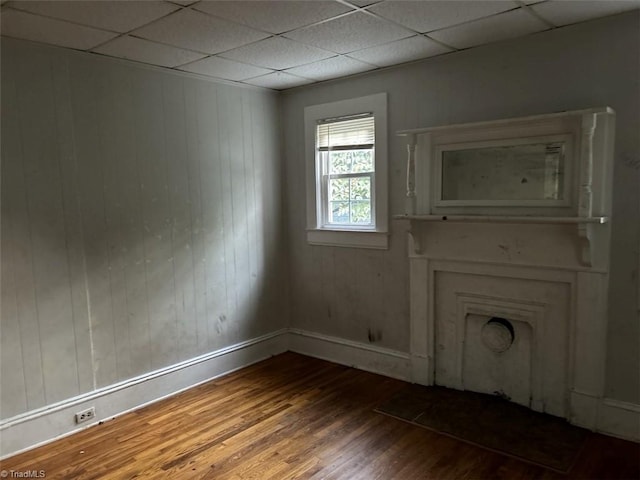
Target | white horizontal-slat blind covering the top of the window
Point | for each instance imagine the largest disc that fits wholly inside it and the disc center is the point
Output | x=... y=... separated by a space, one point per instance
x=357 y=133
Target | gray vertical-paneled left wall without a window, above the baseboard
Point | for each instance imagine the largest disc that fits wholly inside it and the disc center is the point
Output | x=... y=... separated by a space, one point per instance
x=141 y=221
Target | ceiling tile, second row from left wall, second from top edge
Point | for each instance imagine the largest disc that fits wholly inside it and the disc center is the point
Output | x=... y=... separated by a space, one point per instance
x=199 y=31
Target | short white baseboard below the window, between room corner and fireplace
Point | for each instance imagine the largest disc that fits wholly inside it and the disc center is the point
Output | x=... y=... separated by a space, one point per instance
x=384 y=361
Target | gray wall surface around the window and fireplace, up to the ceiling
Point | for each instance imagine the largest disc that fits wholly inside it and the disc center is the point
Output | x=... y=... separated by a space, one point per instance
x=351 y=292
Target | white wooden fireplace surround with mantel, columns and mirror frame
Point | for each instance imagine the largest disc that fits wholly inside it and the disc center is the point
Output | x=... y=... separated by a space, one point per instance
x=543 y=267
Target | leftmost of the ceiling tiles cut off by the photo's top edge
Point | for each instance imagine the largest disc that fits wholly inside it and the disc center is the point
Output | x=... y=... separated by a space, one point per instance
x=107 y=15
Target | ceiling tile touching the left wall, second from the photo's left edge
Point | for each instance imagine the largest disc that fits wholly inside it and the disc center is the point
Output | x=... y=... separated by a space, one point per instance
x=145 y=51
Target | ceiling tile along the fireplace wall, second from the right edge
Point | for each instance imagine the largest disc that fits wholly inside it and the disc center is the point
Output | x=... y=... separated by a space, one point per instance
x=491 y=29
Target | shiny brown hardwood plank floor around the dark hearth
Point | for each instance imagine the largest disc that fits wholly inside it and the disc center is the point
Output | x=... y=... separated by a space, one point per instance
x=292 y=417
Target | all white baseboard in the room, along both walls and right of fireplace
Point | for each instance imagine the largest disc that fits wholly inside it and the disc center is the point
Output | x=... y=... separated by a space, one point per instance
x=38 y=427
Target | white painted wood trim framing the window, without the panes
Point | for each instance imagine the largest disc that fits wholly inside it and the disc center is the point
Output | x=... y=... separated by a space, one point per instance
x=377 y=237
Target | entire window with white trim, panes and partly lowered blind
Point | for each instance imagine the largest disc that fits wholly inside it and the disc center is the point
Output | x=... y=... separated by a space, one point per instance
x=347 y=173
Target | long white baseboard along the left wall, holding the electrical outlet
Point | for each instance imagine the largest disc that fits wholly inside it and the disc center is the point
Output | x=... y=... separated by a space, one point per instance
x=38 y=427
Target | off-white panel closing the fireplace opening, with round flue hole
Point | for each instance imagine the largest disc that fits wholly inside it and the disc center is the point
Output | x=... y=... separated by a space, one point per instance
x=533 y=370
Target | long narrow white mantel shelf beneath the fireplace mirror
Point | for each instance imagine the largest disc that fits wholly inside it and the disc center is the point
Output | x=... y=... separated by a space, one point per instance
x=503 y=219
